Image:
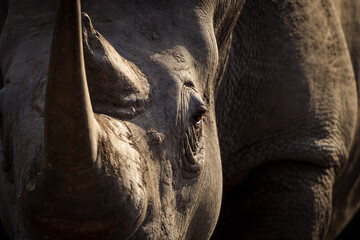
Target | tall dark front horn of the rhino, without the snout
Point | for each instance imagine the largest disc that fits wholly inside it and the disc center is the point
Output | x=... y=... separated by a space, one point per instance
x=70 y=136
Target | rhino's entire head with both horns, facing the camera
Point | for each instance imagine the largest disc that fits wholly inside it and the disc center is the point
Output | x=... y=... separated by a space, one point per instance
x=125 y=145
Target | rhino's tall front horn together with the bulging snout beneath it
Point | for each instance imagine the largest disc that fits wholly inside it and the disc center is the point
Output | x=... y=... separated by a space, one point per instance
x=73 y=189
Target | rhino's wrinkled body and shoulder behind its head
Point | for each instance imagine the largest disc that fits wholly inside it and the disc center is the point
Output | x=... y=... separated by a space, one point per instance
x=287 y=115
